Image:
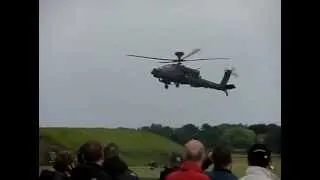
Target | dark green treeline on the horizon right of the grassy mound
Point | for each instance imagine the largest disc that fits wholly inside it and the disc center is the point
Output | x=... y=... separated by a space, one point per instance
x=236 y=136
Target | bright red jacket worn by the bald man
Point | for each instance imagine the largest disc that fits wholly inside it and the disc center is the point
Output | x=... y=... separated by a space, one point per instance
x=188 y=170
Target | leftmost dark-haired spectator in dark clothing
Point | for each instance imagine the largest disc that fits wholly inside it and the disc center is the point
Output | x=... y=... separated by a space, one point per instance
x=62 y=167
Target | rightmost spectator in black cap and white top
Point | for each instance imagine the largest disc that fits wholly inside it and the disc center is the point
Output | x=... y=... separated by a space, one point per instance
x=259 y=164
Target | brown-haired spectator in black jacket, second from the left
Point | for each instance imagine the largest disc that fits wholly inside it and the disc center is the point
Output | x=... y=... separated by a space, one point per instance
x=92 y=157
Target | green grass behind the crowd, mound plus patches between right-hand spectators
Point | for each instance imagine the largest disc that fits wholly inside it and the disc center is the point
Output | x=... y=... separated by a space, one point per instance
x=137 y=148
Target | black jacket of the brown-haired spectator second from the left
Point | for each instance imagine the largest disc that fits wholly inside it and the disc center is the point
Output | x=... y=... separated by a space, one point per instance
x=89 y=172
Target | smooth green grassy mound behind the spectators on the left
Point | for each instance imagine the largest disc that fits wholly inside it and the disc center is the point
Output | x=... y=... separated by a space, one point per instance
x=137 y=147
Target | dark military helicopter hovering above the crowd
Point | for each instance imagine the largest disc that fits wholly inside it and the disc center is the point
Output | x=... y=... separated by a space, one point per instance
x=175 y=72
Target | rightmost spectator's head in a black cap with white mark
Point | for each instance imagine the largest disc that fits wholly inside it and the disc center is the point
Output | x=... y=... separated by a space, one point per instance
x=259 y=155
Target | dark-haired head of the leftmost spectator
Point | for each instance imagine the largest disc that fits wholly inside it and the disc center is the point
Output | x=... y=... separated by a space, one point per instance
x=63 y=162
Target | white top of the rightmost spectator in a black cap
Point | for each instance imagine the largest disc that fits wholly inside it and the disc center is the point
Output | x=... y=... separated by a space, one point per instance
x=259 y=173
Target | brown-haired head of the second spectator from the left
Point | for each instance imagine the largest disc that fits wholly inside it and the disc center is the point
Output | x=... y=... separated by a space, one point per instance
x=92 y=152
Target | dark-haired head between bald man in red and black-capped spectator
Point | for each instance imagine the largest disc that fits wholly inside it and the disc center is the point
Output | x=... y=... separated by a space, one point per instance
x=221 y=158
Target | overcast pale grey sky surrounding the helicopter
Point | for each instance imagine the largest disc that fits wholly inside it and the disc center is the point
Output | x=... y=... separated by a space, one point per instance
x=85 y=78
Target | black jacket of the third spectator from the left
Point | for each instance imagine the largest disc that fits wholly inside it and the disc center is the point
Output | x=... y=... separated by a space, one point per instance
x=118 y=169
